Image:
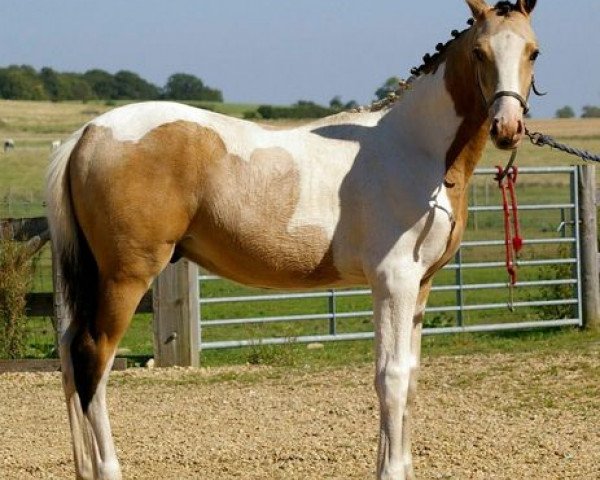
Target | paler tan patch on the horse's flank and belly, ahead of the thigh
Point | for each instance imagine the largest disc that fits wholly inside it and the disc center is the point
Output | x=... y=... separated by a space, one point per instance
x=241 y=228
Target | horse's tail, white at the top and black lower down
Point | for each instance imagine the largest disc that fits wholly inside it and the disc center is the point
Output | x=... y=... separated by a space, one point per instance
x=78 y=266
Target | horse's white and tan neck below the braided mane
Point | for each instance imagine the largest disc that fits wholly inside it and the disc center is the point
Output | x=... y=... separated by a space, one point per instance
x=442 y=114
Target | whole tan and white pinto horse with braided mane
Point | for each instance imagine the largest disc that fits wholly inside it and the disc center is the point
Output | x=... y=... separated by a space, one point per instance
x=374 y=197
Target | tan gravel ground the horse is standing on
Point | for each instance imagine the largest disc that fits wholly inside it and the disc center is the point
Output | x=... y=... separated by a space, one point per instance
x=525 y=416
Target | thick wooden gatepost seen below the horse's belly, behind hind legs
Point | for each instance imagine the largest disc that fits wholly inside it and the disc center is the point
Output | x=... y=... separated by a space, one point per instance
x=176 y=316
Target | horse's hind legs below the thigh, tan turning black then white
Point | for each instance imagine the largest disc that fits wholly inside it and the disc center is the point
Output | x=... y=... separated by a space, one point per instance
x=88 y=354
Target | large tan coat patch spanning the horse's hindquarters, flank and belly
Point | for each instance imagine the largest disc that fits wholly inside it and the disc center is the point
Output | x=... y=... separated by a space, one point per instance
x=228 y=214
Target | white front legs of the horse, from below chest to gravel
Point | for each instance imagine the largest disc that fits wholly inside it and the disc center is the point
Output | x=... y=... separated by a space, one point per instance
x=395 y=295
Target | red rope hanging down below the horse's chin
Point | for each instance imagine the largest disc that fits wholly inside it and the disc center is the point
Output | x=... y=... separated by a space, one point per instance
x=507 y=178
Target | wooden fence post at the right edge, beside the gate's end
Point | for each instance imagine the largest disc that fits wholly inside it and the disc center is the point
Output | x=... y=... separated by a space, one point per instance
x=590 y=279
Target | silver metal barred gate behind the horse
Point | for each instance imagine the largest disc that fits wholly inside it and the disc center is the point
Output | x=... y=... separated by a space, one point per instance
x=469 y=295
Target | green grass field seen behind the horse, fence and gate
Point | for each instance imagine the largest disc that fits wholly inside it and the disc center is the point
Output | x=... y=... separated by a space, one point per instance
x=34 y=125
